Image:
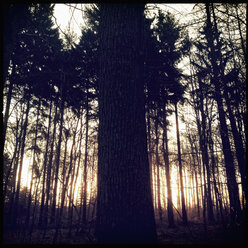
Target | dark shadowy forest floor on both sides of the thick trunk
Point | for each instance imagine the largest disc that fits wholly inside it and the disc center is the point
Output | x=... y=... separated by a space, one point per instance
x=194 y=233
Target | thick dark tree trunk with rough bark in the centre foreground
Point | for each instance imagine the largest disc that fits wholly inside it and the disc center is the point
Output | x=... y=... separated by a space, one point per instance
x=124 y=202
